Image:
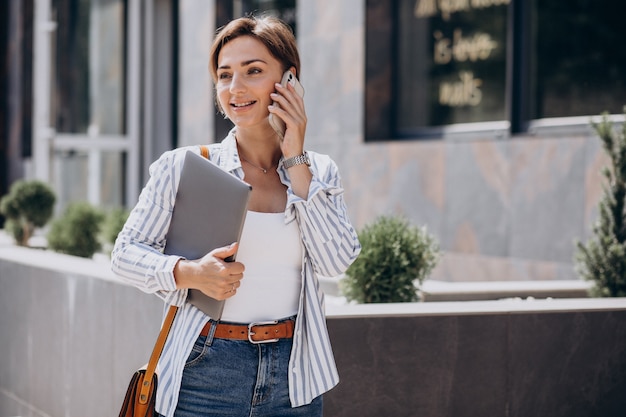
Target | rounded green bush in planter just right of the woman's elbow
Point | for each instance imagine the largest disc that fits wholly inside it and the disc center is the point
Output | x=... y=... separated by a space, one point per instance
x=394 y=256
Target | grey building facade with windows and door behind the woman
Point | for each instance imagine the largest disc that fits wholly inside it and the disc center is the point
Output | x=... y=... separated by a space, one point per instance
x=470 y=117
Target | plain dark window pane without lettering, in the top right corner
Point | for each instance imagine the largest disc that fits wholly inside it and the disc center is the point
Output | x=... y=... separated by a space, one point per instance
x=580 y=62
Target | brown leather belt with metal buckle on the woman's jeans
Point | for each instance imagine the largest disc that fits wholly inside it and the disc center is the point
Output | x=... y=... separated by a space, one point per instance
x=262 y=332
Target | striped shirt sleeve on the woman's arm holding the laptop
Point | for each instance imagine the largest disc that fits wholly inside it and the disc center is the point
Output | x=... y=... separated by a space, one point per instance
x=137 y=256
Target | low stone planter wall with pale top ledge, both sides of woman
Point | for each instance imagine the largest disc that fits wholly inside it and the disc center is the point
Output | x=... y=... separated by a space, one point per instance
x=71 y=335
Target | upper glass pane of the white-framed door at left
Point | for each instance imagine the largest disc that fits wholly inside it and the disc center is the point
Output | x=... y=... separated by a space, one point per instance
x=89 y=69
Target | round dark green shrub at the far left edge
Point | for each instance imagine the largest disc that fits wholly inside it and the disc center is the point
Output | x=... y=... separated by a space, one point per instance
x=28 y=205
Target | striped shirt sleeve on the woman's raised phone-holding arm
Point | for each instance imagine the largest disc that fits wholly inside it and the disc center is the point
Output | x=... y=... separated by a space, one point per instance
x=330 y=239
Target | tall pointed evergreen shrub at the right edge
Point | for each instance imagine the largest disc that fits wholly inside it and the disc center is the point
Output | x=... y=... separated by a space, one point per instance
x=602 y=259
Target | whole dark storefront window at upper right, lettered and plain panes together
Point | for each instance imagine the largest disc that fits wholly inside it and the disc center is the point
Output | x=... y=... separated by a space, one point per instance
x=431 y=64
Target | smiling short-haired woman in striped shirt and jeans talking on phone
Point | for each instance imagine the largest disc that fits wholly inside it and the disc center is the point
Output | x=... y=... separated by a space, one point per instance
x=296 y=227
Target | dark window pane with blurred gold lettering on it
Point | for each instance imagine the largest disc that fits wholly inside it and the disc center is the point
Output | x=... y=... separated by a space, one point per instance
x=451 y=65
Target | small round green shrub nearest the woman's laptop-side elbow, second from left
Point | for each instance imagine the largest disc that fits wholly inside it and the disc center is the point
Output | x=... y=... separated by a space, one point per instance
x=76 y=232
